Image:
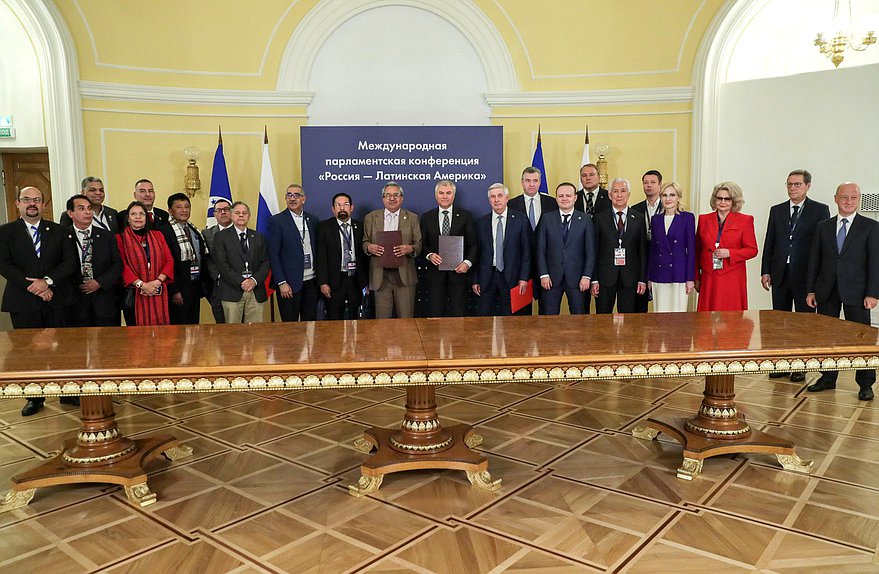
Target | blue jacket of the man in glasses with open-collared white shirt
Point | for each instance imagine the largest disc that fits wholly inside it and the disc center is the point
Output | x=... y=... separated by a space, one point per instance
x=285 y=248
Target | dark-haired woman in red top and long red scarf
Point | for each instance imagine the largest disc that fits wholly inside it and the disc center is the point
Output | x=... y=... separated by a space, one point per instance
x=146 y=266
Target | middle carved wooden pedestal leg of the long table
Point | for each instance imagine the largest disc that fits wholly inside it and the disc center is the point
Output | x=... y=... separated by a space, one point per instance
x=421 y=442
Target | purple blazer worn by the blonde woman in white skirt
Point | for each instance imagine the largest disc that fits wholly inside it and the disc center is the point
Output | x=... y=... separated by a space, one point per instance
x=673 y=254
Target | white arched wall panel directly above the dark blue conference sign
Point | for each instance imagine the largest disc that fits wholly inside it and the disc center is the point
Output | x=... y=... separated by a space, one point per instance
x=397 y=65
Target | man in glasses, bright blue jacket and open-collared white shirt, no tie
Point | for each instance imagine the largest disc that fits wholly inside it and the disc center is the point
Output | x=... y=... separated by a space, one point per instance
x=292 y=252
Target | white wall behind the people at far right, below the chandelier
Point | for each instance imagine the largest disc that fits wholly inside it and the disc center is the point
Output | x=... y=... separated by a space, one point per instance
x=822 y=121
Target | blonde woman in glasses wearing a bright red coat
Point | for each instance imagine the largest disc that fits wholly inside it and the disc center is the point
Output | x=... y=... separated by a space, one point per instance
x=725 y=240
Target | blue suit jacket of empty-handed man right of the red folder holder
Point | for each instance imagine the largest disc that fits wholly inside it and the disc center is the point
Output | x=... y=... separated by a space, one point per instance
x=566 y=261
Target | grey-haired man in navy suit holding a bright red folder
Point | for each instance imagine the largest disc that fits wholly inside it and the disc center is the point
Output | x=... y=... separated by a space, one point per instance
x=504 y=254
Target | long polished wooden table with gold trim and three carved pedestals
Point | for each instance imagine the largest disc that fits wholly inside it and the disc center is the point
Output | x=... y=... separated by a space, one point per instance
x=419 y=354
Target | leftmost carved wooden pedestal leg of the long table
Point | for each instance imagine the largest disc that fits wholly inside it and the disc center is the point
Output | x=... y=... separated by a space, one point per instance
x=99 y=454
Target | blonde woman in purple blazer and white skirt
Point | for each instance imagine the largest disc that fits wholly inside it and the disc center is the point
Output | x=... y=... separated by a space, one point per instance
x=672 y=262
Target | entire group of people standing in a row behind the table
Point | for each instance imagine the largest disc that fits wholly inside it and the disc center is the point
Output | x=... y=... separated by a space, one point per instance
x=582 y=244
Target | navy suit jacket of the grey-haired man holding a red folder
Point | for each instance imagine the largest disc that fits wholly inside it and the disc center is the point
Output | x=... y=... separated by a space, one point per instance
x=517 y=249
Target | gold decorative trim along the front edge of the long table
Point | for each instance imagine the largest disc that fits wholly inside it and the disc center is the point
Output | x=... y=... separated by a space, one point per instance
x=433 y=377
